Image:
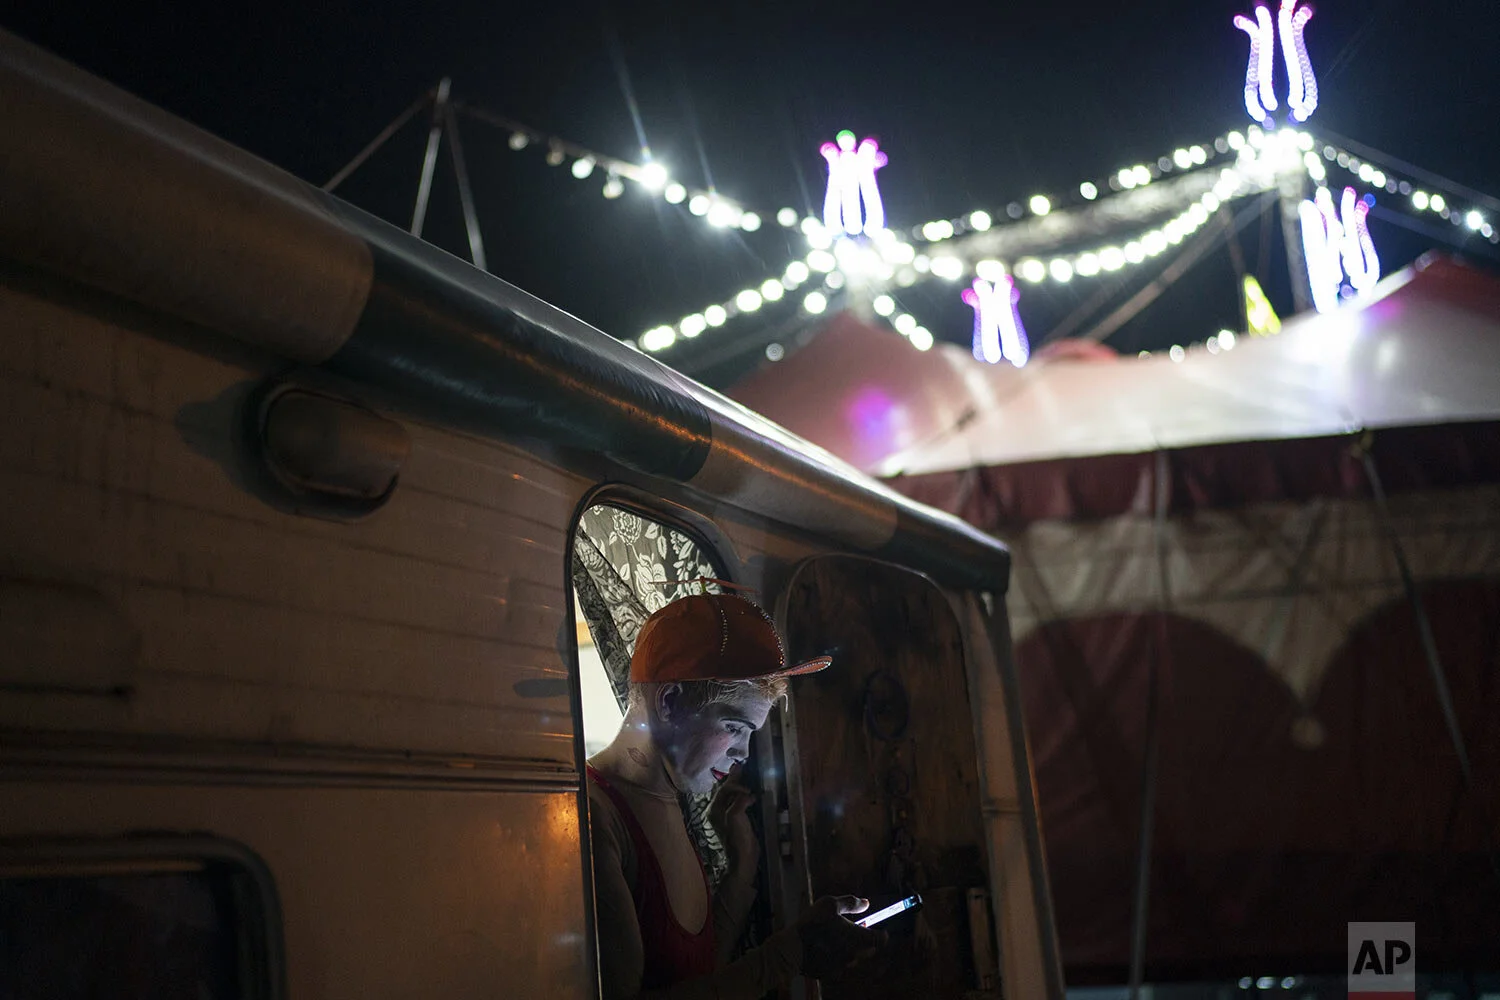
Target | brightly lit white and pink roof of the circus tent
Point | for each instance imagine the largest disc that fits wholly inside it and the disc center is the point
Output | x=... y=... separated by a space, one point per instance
x=1423 y=349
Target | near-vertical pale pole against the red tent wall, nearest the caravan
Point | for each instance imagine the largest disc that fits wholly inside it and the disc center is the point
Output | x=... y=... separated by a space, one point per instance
x=1148 y=782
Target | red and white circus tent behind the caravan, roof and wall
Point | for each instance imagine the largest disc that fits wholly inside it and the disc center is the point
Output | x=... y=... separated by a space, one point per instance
x=1208 y=599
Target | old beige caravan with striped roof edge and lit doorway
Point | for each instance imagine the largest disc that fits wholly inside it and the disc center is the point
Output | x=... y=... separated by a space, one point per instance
x=295 y=693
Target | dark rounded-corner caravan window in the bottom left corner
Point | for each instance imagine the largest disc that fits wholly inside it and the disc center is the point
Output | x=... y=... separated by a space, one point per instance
x=115 y=926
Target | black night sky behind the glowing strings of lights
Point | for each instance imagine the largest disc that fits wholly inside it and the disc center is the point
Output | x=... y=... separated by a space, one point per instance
x=977 y=107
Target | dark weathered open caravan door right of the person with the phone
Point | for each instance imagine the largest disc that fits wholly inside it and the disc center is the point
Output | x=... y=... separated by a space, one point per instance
x=886 y=774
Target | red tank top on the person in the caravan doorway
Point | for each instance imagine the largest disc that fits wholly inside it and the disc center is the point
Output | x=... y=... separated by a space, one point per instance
x=673 y=956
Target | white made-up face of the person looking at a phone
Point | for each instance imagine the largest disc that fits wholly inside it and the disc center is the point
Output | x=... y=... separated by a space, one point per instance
x=701 y=746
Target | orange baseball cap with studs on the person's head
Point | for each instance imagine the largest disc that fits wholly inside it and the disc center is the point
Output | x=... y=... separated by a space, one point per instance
x=713 y=638
